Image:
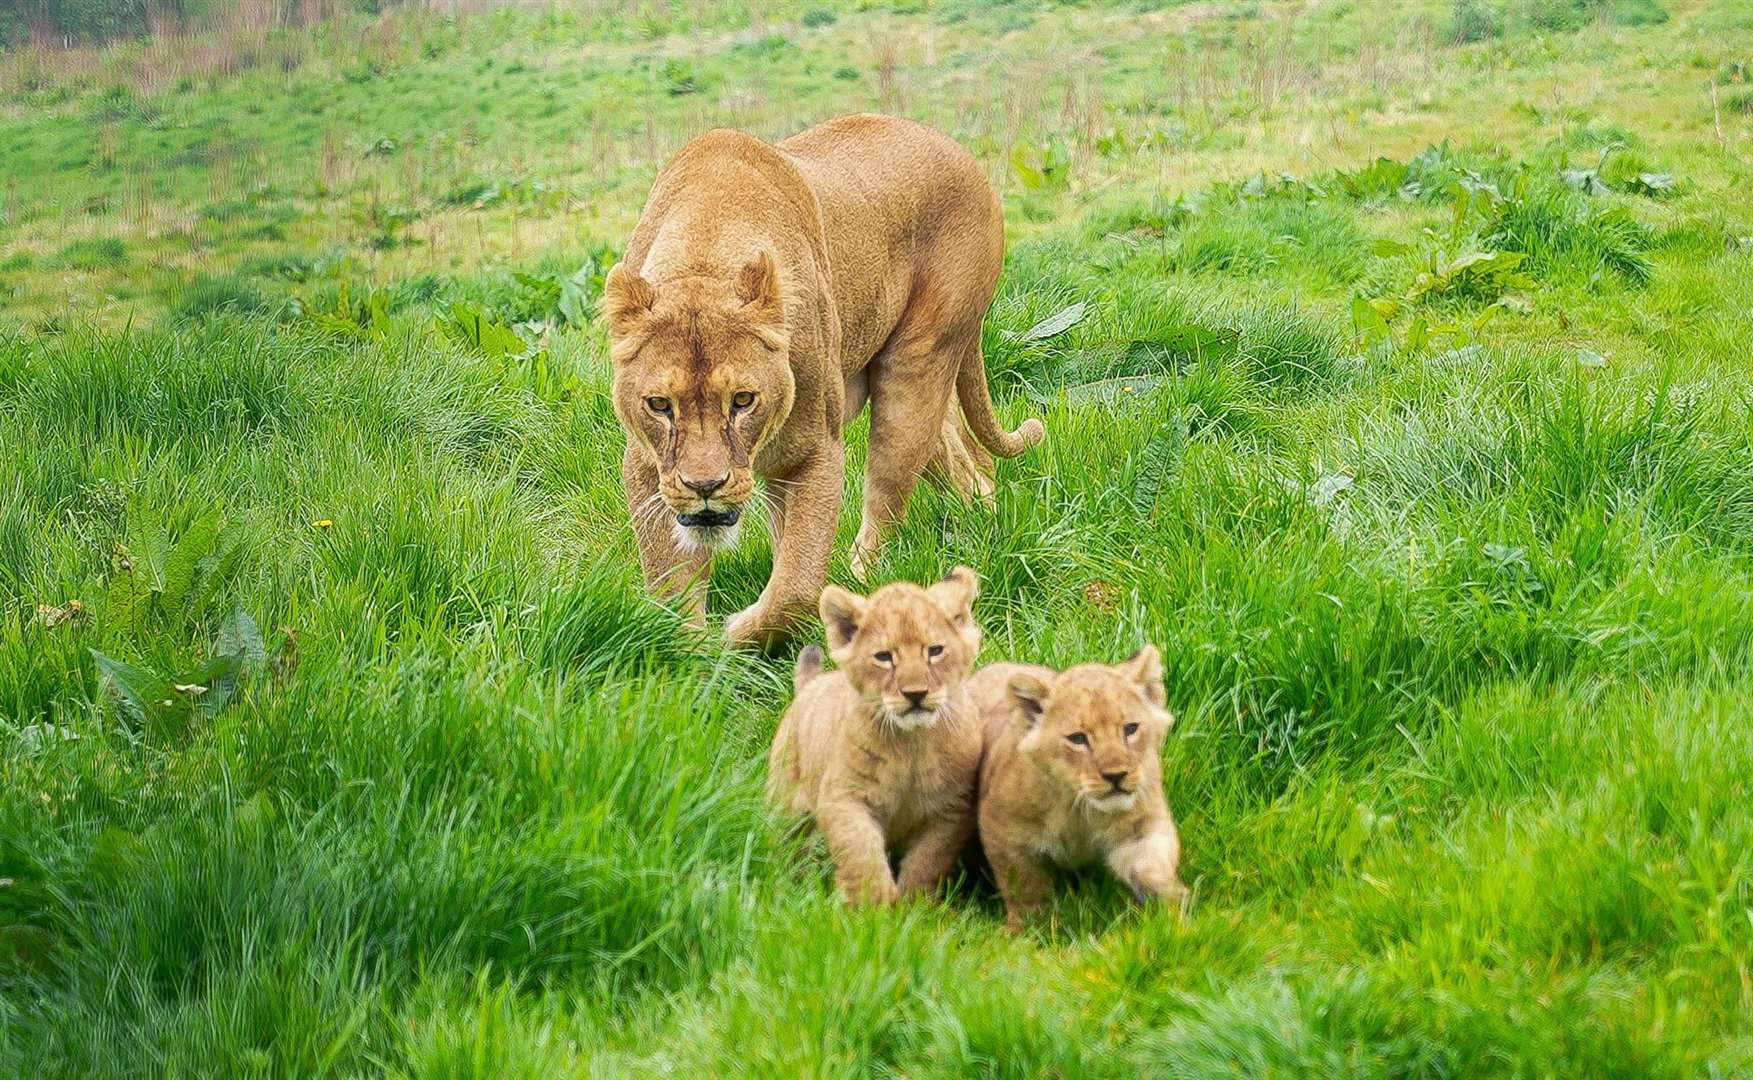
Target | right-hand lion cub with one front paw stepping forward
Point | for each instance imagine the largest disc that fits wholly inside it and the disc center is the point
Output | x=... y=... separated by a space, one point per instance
x=1072 y=778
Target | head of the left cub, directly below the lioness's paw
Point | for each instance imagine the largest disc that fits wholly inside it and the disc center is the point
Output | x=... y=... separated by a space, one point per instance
x=905 y=648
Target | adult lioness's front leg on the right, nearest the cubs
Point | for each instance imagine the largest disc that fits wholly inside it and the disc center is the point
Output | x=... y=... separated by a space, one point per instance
x=809 y=518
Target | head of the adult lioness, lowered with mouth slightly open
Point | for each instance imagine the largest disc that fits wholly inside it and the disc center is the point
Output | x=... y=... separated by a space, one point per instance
x=702 y=378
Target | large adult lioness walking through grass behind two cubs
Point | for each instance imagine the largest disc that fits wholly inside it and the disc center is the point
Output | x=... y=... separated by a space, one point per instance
x=767 y=294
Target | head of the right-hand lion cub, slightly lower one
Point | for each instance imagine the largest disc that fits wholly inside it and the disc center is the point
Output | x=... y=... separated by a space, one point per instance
x=1097 y=728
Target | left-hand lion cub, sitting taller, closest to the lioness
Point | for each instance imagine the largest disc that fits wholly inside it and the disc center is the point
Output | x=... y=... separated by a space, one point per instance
x=884 y=751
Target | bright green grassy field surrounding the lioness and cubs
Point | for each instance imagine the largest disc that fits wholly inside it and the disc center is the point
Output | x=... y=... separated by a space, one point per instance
x=1403 y=401
